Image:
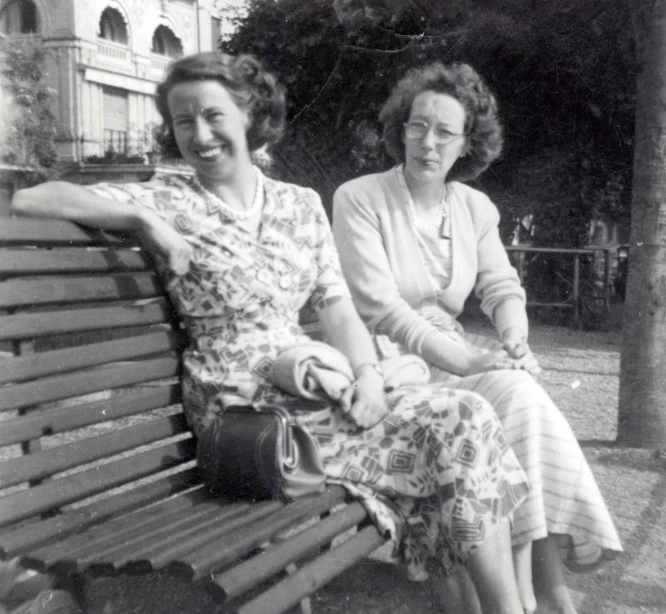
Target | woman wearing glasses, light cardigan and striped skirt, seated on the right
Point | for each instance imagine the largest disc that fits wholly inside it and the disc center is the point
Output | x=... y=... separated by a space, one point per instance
x=414 y=242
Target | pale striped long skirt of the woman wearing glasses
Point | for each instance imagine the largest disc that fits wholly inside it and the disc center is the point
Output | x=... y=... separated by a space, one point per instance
x=564 y=498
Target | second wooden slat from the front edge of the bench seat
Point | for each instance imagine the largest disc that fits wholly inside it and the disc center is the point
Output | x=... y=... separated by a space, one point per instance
x=267 y=564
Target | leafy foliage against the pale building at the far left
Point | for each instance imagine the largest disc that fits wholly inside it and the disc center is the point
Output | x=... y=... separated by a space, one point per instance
x=28 y=128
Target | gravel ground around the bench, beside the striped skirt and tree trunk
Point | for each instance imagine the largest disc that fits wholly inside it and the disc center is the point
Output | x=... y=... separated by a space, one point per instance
x=581 y=372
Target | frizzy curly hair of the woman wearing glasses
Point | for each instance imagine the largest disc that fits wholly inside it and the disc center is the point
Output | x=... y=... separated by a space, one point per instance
x=462 y=82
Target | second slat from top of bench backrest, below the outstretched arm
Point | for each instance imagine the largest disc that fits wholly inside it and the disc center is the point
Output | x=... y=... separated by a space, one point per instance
x=44 y=262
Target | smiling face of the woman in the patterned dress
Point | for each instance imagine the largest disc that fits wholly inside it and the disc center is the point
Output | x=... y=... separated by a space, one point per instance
x=209 y=128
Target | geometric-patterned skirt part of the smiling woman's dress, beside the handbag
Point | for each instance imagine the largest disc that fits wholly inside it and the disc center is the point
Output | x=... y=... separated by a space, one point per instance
x=439 y=464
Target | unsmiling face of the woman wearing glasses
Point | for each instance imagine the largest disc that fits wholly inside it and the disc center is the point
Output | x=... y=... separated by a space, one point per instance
x=430 y=158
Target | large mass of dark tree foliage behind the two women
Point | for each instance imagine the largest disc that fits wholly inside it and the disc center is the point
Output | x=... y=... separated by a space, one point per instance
x=563 y=73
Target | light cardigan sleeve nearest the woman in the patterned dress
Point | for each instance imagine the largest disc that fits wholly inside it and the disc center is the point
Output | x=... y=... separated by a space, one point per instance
x=365 y=265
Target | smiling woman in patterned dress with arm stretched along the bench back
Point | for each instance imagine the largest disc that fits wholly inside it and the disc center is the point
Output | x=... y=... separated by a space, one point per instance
x=240 y=255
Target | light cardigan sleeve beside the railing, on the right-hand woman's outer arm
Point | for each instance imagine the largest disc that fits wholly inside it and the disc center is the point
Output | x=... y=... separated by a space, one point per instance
x=497 y=283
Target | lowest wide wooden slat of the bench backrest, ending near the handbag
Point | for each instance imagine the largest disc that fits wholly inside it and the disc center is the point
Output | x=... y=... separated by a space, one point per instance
x=56 y=493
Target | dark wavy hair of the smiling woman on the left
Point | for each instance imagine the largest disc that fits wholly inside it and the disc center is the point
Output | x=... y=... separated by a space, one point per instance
x=252 y=88
